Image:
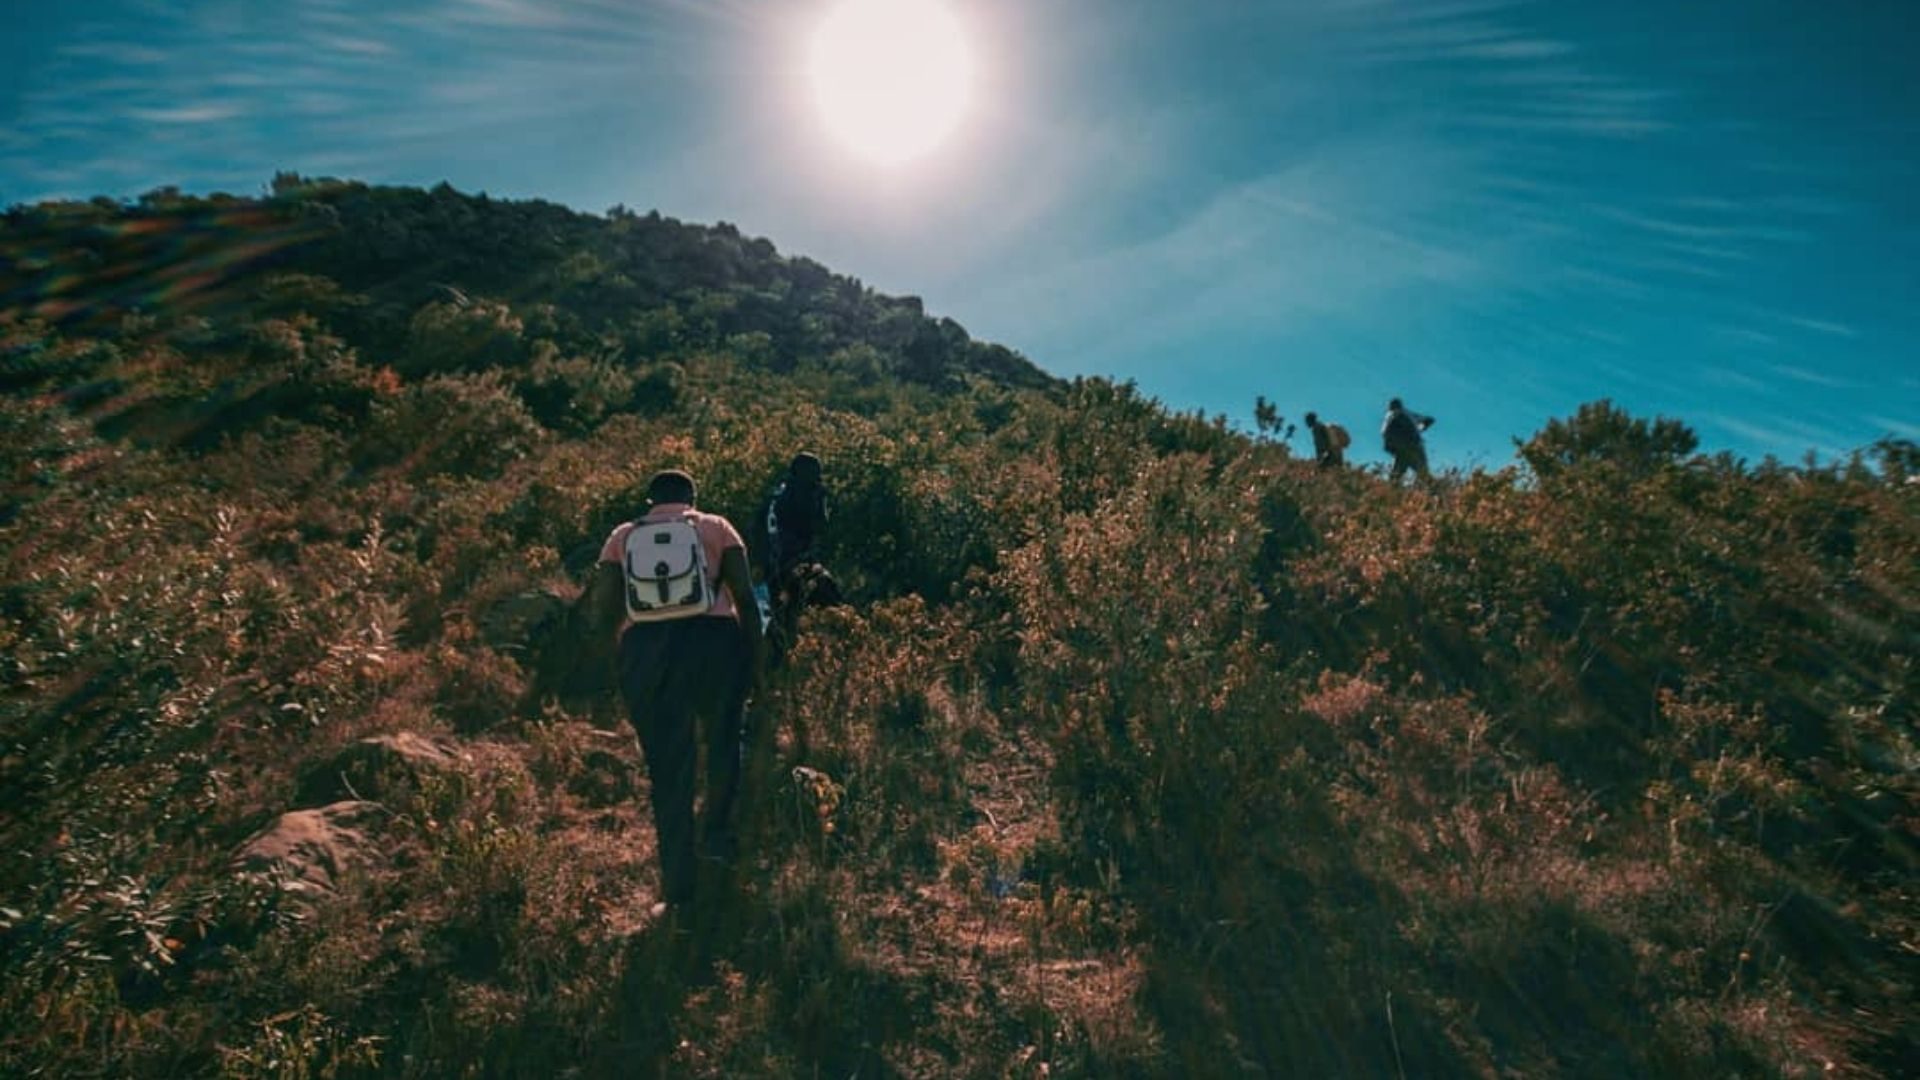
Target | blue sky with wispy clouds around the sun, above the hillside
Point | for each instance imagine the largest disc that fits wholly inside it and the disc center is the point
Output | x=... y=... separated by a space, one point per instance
x=1495 y=210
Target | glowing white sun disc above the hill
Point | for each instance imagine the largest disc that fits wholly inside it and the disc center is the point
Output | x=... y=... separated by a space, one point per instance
x=892 y=78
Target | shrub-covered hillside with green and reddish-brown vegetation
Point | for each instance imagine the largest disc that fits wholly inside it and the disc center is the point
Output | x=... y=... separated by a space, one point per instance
x=1145 y=749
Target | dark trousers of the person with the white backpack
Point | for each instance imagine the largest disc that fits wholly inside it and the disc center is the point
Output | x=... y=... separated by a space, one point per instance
x=673 y=674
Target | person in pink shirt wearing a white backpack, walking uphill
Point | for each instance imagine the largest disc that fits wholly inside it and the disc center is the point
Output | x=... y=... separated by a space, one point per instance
x=679 y=587
